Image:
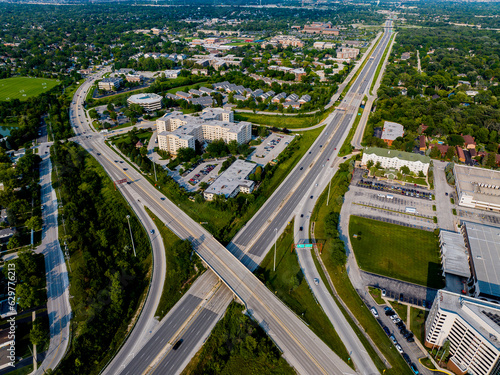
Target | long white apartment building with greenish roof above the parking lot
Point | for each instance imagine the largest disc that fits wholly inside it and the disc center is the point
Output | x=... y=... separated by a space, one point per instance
x=394 y=159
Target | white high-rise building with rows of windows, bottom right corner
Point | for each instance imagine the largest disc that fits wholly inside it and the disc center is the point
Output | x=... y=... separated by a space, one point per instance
x=471 y=326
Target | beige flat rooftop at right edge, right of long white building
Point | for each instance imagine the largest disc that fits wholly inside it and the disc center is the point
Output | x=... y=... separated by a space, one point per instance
x=482 y=184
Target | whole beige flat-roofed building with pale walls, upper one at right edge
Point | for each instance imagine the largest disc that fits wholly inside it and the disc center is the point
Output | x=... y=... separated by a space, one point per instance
x=477 y=187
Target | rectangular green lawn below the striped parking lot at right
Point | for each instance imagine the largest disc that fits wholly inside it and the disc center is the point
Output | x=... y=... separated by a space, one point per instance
x=395 y=251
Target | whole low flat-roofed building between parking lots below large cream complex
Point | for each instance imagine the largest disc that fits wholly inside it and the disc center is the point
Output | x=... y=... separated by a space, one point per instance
x=232 y=181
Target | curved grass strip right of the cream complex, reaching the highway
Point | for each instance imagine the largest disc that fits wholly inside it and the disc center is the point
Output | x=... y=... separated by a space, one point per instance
x=279 y=121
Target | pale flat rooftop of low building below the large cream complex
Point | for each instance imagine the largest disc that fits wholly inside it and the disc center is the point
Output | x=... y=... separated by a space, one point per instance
x=232 y=177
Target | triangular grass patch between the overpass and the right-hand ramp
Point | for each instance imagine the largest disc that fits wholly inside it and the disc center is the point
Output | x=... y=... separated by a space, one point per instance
x=290 y=286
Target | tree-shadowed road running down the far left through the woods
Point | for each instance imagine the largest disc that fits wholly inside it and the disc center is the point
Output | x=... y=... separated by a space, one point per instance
x=58 y=307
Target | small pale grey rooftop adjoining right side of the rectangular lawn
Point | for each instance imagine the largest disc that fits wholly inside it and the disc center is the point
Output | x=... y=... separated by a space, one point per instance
x=455 y=258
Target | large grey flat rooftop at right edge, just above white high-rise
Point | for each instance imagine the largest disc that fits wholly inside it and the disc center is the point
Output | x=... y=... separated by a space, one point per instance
x=484 y=241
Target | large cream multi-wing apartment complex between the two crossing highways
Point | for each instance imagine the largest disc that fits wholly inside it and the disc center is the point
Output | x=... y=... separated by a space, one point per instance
x=176 y=130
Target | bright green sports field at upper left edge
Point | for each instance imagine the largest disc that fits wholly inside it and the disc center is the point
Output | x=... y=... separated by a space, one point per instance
x=24 y=87
